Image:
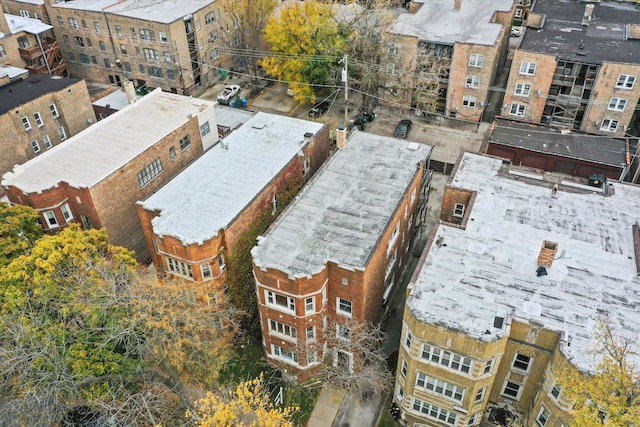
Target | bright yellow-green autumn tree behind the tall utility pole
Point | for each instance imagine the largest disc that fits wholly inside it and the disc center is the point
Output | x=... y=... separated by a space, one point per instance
x=305 y=42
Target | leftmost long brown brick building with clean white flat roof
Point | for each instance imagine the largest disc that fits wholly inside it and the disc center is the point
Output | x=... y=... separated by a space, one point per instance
x=96 y=177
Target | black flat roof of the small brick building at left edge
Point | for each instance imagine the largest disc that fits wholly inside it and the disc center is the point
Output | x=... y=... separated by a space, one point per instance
x=20 y=92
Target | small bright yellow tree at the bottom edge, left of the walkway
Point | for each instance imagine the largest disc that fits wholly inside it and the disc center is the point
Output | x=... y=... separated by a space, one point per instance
x=248 y=405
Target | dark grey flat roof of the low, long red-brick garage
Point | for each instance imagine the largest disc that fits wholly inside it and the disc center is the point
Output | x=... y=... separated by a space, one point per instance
x=543 y=139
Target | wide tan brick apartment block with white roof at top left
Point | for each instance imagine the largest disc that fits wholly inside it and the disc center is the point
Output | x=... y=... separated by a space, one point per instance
x=176 y=46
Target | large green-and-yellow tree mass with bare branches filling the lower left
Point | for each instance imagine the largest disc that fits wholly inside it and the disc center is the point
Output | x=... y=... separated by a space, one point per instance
x=85 y=337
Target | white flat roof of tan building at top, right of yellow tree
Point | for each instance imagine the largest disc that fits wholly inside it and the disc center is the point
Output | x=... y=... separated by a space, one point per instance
x=436 y=21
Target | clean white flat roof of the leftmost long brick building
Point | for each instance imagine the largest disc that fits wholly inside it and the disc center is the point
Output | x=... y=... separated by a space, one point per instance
x=95 y=153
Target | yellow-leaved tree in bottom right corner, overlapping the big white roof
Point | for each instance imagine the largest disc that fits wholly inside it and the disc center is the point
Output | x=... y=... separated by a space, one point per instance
x=610 y=396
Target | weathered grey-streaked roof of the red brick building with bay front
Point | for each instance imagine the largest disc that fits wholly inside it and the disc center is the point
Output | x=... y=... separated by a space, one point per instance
x=340 y=215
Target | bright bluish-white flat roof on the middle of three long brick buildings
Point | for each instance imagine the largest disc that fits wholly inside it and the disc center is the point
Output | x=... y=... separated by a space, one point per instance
x=207 y=196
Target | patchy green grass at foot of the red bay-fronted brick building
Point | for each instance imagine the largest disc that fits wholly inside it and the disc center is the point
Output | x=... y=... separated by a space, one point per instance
x=249 y=362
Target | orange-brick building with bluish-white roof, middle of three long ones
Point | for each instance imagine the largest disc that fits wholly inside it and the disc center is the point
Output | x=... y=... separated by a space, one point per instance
x=193 y=223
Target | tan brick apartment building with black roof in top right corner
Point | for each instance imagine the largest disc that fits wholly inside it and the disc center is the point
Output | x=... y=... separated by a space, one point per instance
x=577 y=68
